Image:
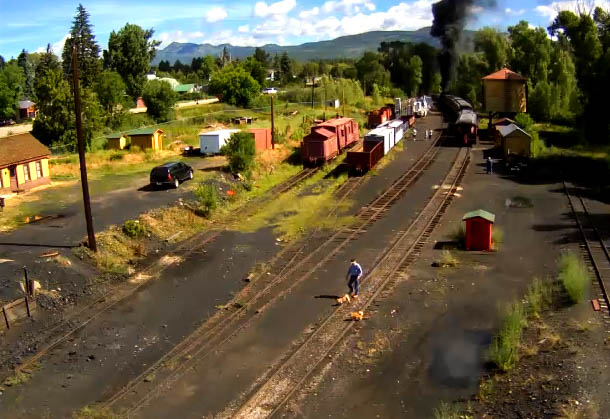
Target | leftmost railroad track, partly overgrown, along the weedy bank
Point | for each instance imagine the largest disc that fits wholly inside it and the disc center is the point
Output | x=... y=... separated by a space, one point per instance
x=107 y=301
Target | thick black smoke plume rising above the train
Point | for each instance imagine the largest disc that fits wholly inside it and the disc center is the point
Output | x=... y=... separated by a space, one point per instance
x=450 y=17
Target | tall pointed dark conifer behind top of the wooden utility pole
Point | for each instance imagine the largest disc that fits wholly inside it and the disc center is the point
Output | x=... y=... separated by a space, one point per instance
x=87 y=50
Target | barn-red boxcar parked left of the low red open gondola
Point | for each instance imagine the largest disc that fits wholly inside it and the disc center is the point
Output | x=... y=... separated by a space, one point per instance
x=328 y=139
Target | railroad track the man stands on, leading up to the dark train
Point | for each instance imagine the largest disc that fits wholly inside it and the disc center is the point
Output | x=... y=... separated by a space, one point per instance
x=292 y=373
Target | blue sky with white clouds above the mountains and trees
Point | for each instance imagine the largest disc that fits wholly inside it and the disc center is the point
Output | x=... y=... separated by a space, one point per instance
x=36 y=23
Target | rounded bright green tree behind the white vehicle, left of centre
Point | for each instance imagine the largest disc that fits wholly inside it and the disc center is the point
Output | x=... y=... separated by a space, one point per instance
x=234 y=86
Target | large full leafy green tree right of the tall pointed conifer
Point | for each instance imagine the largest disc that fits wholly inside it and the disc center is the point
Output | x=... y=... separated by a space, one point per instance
x=129 y=53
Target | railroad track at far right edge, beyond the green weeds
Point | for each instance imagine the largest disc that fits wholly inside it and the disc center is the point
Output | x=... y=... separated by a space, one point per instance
x=594 y=249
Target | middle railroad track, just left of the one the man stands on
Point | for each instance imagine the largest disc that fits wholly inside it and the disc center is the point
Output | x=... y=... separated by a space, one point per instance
x=219 y=330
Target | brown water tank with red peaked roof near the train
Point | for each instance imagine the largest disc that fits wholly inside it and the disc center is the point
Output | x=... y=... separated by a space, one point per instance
x=504 y=92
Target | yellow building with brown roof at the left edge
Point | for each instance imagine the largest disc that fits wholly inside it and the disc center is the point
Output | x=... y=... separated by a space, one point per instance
x=24 y=163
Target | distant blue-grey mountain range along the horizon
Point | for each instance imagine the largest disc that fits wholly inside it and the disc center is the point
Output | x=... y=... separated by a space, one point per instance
x=351 y=46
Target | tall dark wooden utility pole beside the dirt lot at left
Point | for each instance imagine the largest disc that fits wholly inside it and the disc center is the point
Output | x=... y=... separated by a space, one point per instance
x=81 y=150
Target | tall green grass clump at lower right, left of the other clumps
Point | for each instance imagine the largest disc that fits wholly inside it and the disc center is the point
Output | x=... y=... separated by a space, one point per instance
x=504 y=349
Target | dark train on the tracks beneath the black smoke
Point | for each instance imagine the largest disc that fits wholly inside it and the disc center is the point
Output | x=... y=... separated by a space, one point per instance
x=464 y=122
